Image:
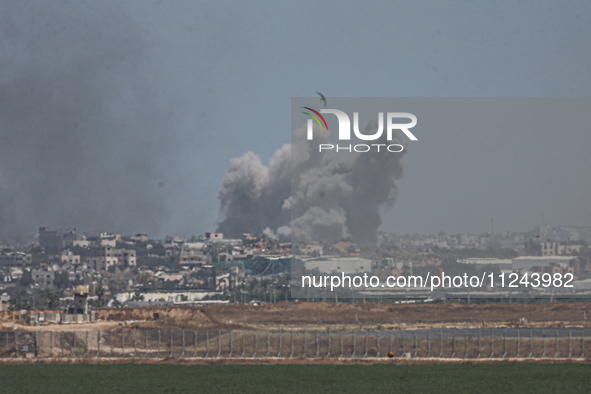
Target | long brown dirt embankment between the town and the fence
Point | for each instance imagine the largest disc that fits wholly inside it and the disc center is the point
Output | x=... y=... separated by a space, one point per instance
x=338 y=315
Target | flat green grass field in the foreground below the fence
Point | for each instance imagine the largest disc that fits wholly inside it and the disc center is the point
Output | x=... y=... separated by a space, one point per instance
x=342 y=379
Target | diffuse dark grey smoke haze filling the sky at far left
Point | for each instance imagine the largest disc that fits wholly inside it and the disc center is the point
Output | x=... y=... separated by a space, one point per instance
x=80 y=135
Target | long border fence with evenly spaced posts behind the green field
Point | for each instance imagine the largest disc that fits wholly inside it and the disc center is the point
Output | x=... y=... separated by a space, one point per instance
x=446 y=343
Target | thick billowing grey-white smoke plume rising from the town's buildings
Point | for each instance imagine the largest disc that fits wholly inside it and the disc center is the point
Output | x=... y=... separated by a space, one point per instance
x=329 y=196
